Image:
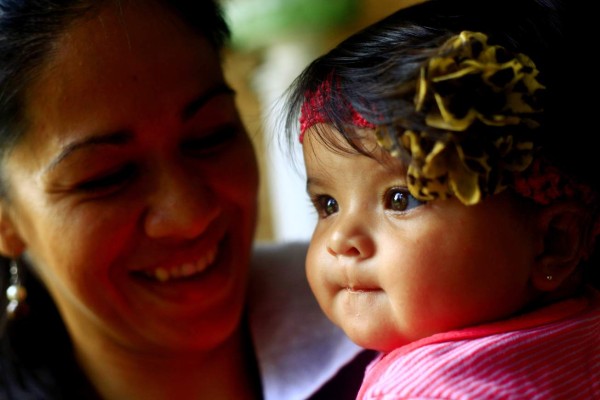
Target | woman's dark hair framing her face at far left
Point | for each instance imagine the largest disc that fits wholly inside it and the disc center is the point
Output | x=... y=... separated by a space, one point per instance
x=36 y=358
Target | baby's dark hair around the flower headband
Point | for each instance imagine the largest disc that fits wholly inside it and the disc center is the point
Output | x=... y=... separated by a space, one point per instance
x=375 y=71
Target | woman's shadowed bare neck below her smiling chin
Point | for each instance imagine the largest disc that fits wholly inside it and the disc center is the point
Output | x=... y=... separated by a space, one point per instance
x=226 y=372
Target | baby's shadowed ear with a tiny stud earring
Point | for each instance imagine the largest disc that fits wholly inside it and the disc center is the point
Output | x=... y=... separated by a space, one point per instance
x=564 y=238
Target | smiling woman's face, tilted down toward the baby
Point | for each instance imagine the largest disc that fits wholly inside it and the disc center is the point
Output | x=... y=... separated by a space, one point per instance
x=134 y=190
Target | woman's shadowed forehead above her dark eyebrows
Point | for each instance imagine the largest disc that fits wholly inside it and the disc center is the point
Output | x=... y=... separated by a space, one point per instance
x=112 y=72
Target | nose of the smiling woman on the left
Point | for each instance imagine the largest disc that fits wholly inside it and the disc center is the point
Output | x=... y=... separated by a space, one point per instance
x=180 y=206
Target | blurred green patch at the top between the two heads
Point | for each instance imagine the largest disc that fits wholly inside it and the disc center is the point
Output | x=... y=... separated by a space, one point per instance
x=255 y=23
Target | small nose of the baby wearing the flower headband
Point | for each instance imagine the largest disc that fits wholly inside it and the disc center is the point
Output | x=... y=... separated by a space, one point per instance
x=350 y=237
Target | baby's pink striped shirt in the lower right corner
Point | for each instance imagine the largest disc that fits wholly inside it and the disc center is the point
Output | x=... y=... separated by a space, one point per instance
x=553 y=353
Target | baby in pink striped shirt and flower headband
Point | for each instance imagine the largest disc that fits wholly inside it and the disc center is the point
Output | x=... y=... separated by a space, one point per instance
x=457 y=221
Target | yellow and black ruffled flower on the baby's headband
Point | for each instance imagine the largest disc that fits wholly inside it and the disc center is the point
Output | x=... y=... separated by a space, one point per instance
x=480 y=104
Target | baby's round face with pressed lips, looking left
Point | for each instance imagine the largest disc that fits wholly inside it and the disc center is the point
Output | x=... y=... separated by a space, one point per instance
x=389 y=269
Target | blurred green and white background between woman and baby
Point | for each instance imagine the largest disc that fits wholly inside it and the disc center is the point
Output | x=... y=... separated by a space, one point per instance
x=273 y=40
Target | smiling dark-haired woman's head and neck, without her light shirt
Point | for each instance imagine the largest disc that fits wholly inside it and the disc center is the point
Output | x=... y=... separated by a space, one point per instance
x=129 y=191
